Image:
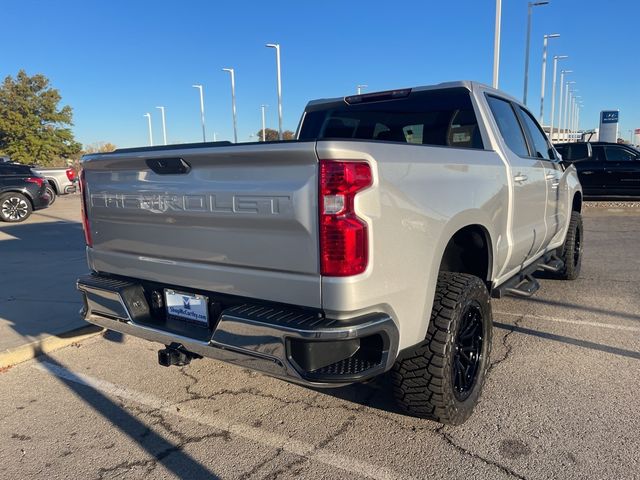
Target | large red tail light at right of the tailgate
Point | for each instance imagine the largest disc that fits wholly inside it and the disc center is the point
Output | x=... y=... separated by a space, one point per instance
x=344 y=243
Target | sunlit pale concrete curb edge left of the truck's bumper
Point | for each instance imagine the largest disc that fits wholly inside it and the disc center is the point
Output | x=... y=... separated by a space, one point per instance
x=20 y=354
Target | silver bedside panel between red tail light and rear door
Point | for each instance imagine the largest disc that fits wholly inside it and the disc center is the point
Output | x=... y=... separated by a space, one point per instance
x=420 y=197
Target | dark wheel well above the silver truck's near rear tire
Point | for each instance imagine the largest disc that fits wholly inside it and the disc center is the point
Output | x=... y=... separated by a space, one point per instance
x=469 y=251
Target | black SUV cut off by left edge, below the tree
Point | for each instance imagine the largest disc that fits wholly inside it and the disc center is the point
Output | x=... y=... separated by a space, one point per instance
x=21 y=191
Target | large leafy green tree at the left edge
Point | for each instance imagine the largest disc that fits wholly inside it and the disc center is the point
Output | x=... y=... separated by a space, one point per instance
x=33 y=127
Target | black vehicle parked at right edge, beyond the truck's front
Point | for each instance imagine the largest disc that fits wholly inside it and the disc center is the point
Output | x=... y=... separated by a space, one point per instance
x=604 y=169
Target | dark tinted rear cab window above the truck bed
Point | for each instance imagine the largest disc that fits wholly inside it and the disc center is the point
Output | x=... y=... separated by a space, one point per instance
x=443 y=117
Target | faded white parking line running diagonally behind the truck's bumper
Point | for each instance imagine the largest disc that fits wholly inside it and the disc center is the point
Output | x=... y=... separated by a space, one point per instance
x=257 y=435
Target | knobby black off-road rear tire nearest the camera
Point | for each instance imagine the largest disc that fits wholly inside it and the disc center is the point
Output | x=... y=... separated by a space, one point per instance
x=423 y=376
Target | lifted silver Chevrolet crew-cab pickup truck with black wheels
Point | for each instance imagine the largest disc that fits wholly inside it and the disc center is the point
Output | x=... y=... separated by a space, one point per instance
x=372 y=243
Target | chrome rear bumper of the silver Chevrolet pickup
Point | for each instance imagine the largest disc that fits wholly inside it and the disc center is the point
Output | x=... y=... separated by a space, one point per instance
x=286 y=343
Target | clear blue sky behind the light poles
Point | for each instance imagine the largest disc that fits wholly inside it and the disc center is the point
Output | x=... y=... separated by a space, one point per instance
x=115 y=60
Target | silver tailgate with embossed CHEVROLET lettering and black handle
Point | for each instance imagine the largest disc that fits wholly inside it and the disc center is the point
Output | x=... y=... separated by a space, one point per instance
x=242 y=220
